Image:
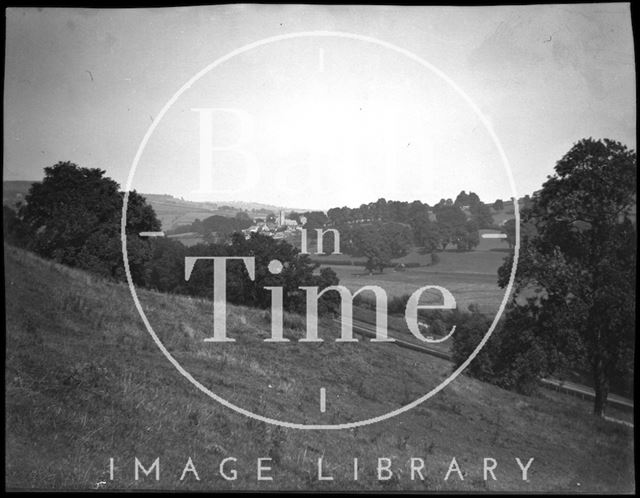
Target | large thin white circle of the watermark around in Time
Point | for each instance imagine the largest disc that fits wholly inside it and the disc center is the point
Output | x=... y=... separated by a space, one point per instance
x=311 y=34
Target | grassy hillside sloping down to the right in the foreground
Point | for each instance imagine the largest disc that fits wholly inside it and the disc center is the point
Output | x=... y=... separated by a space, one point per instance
x=85 y=382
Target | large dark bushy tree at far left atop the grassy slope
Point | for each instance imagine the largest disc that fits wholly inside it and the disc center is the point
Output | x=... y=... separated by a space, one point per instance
x=73 y=216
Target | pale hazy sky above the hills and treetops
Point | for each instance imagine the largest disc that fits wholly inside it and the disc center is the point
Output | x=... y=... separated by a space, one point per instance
x=317 y=121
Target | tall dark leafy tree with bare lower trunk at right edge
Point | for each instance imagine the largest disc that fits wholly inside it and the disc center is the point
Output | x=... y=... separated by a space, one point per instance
x=581 y=263
